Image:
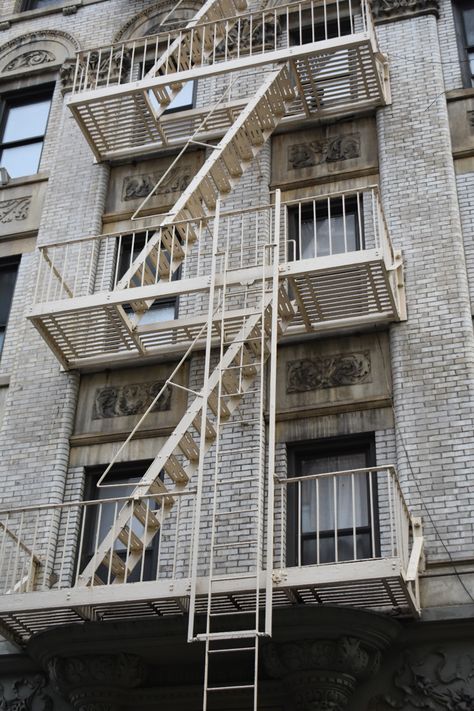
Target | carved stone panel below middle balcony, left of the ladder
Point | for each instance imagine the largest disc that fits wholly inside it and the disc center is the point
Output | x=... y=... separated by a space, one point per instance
x=110 y=403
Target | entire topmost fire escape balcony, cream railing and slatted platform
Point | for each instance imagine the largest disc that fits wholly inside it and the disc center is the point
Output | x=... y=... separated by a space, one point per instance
x=338 y=71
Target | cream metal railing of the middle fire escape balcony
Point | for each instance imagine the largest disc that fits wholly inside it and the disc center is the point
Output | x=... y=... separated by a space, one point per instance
x=318 y=226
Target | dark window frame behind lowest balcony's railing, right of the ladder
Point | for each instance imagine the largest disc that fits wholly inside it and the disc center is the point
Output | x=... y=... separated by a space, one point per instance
x=356 y=444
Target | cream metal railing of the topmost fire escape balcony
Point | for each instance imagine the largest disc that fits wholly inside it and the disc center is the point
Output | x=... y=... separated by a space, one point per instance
x=248 y=35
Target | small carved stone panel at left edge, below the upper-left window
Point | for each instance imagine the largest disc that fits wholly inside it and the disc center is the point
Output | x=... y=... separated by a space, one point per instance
x=20 y=207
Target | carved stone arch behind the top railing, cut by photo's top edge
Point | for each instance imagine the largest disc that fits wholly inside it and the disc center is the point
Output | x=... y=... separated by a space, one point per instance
x=150 y=21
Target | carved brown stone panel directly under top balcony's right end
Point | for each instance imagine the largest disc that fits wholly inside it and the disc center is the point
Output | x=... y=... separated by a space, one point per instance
x=334 y=150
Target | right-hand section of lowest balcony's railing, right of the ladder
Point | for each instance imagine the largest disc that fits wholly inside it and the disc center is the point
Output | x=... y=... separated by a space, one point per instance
x=343 y=516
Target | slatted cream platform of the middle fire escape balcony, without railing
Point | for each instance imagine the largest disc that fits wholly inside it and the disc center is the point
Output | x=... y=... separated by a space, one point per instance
x=336 y=292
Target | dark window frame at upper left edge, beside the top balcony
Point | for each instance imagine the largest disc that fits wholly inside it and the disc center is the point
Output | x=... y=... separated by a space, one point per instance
x=25 y=97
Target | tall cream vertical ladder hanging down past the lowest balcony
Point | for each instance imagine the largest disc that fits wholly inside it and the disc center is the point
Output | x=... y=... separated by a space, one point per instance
x=224 y=637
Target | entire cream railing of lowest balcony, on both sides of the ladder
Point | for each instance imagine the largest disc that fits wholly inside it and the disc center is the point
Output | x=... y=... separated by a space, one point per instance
x=320 y=519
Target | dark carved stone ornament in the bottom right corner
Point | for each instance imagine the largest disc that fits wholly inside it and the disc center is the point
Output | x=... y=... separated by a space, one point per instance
x=435 y=681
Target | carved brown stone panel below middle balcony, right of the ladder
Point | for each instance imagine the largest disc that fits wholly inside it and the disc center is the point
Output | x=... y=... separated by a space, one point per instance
x=333 y=375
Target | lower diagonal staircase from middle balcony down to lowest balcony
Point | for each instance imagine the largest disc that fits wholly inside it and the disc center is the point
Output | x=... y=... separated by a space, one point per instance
x=221 y=395
